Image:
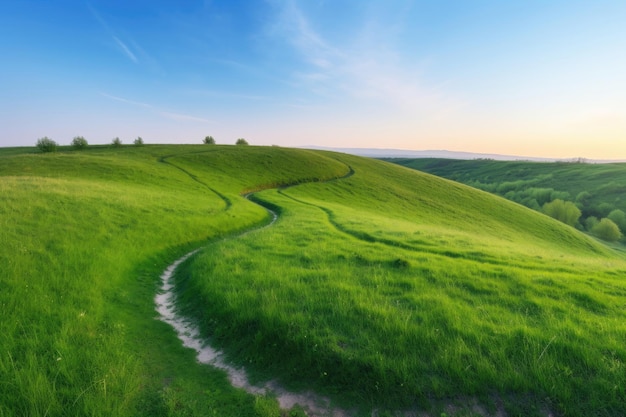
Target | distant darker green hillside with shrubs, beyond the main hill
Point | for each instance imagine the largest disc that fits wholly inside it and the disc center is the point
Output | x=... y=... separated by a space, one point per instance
x=597 y=189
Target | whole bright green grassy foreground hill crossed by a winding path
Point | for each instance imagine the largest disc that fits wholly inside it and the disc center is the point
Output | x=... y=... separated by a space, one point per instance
x=378 y=286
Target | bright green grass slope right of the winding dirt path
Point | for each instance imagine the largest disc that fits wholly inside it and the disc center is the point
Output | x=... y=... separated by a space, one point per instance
x=408 y=295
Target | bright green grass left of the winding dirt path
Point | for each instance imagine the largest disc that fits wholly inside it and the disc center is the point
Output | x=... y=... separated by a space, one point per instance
x=84 y=237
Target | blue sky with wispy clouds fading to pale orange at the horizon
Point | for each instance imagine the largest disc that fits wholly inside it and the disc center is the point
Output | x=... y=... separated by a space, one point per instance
x=543 y=78
